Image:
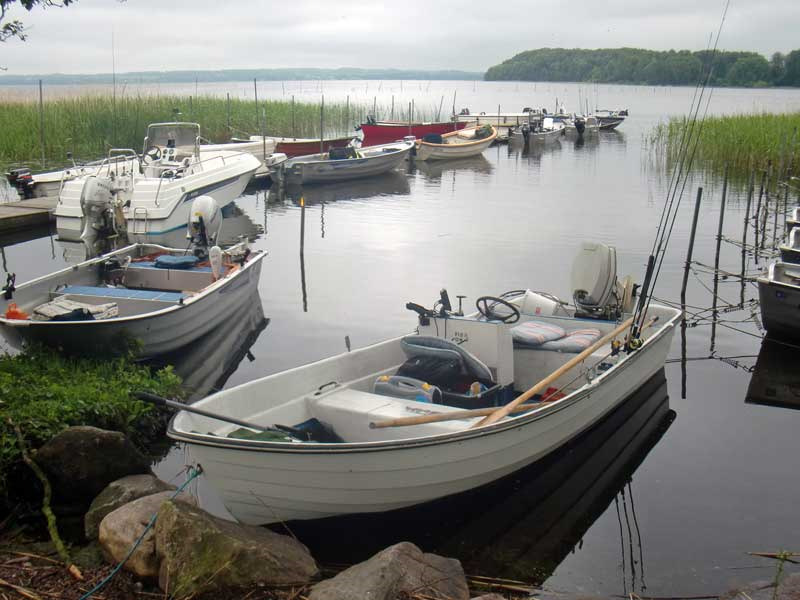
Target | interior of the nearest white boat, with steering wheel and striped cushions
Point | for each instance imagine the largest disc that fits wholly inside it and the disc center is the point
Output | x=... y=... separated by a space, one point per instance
x=453 y=362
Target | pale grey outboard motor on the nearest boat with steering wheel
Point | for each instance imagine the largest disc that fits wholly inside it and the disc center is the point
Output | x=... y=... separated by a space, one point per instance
x=596 y=291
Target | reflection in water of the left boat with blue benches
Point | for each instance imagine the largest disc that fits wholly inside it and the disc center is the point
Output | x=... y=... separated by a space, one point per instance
x=205 y=365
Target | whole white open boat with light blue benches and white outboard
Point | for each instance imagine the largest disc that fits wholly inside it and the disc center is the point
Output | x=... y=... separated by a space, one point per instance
x=160 y=298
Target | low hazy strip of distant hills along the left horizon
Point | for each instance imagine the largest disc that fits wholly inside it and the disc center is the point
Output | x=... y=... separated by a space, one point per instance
x=239 y=75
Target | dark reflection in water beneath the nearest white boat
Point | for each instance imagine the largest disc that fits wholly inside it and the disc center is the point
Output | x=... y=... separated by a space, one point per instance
x=523 y=526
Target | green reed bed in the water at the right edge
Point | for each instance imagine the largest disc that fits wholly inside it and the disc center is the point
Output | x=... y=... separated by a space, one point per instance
x=742 y=141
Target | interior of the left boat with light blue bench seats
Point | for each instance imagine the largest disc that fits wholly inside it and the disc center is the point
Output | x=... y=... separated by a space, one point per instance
x=139 y=280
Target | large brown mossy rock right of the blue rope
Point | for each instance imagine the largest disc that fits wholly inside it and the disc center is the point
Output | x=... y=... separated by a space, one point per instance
x=200 y=553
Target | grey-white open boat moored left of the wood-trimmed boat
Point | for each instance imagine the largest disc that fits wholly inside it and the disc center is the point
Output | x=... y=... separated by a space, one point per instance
x=340 y=164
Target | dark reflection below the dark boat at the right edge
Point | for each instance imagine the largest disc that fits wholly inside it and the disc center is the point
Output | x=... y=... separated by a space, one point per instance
x=776 y=380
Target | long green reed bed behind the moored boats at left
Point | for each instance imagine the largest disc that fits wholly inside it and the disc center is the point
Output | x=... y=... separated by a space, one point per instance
x=88 y=126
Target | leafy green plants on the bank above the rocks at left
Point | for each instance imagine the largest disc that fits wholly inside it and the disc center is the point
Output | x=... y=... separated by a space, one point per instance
x=43 y=392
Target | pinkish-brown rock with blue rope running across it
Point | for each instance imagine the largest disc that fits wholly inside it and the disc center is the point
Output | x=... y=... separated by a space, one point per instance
x=120 y=529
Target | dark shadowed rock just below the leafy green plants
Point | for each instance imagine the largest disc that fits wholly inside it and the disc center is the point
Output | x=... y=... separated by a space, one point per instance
x=81 y=461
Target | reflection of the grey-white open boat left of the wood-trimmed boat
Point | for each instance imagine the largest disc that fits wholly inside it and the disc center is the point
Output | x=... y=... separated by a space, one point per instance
x=393 y=183
